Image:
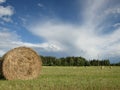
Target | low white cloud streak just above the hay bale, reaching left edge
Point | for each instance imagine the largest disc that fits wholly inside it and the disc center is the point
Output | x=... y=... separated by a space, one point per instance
x=9 y=40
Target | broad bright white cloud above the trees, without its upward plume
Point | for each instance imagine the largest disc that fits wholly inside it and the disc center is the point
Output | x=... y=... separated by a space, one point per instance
x=78 y=40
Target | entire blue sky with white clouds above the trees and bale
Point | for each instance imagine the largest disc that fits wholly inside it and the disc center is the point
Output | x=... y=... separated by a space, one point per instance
x=88 y=28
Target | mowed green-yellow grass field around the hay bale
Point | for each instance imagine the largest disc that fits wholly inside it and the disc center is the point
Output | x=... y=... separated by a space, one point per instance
x=69 y=78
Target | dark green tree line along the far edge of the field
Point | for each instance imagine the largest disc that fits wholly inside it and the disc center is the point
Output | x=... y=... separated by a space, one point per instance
x=74 y=61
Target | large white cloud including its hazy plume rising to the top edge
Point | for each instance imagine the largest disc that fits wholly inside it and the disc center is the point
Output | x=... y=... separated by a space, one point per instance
x=86 y=39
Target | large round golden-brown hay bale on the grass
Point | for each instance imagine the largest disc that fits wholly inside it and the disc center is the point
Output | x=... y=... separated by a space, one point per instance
x=21 y=63
